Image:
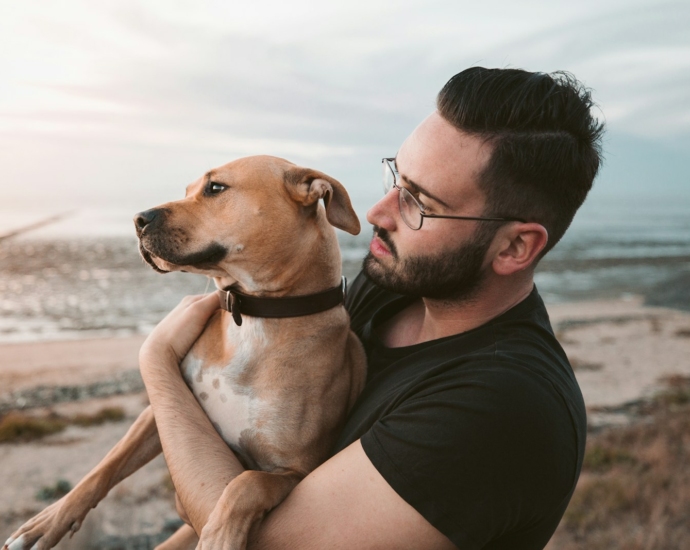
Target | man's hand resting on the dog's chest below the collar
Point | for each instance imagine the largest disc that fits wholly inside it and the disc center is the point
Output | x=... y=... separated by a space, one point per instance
x=173 y=337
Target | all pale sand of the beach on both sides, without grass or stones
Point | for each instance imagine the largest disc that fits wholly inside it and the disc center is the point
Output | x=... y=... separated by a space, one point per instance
x=620 y=351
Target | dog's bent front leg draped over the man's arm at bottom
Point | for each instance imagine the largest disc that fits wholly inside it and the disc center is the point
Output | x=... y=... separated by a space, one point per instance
x=244 y=502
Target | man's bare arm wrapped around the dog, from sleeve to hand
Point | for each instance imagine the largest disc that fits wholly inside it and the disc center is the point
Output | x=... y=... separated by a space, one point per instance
x=345 y=503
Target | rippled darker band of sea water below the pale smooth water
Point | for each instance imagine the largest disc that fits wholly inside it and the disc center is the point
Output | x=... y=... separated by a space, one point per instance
x=61 y=289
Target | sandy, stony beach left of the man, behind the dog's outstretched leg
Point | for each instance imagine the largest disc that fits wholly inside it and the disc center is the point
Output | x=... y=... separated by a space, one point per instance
x=140 y=507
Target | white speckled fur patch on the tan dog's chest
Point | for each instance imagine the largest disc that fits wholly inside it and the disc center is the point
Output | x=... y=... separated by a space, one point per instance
x=225 y=391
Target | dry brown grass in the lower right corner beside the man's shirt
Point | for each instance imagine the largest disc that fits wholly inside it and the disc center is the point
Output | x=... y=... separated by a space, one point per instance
x=634 y=493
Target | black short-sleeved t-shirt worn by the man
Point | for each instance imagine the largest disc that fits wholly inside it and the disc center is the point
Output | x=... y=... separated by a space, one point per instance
x=483 y=432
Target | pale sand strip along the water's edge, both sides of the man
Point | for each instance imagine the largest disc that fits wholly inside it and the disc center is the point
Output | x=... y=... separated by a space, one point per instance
x=620 y=350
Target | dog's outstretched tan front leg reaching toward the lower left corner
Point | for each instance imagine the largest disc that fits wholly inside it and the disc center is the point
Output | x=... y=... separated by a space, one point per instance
x=139 y=445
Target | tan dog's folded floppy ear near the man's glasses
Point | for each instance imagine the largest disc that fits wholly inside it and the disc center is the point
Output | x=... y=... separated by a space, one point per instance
x=307 y=186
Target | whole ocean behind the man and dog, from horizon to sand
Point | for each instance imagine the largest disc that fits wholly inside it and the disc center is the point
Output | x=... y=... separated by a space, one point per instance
x=82 y=276
